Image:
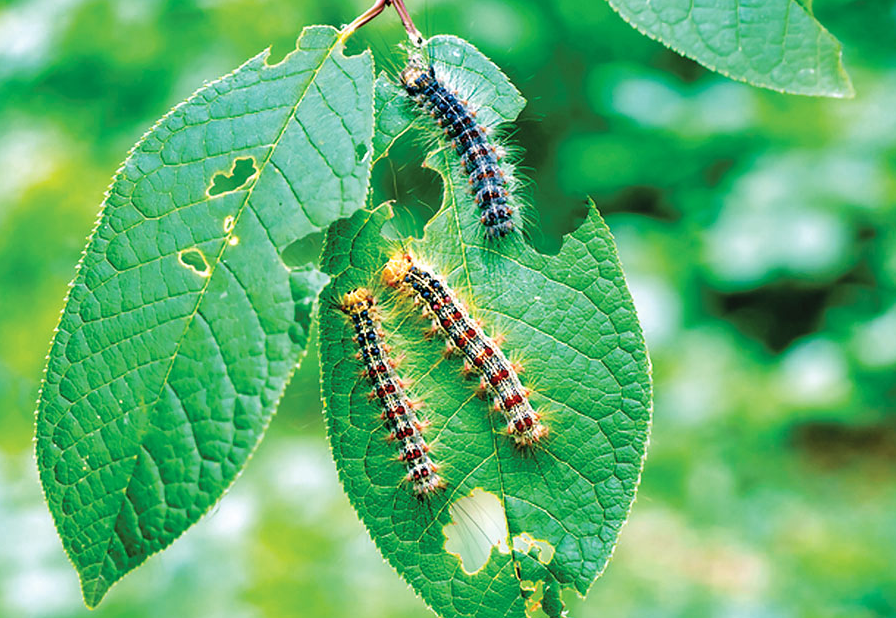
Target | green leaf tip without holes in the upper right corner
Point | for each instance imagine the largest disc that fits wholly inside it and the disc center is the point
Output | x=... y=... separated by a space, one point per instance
x=775 y=44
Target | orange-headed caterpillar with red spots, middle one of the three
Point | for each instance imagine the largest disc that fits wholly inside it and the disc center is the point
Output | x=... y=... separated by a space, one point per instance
x=482 y=354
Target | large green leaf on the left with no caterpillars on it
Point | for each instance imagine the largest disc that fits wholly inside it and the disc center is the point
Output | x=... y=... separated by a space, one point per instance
x=183 y=324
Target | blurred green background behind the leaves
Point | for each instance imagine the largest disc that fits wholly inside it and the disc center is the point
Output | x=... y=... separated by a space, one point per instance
x=758 y=232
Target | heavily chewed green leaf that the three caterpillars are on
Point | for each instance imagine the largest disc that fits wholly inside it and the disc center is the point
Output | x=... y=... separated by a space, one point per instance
x=507 y=520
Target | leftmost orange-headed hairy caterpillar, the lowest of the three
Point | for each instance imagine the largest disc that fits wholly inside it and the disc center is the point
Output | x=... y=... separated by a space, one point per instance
x=398 y=410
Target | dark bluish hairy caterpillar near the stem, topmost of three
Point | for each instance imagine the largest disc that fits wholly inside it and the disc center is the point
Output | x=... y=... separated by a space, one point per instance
x=479 y=157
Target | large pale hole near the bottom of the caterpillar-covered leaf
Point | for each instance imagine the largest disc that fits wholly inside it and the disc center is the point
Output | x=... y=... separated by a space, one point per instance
x=478 y=524
